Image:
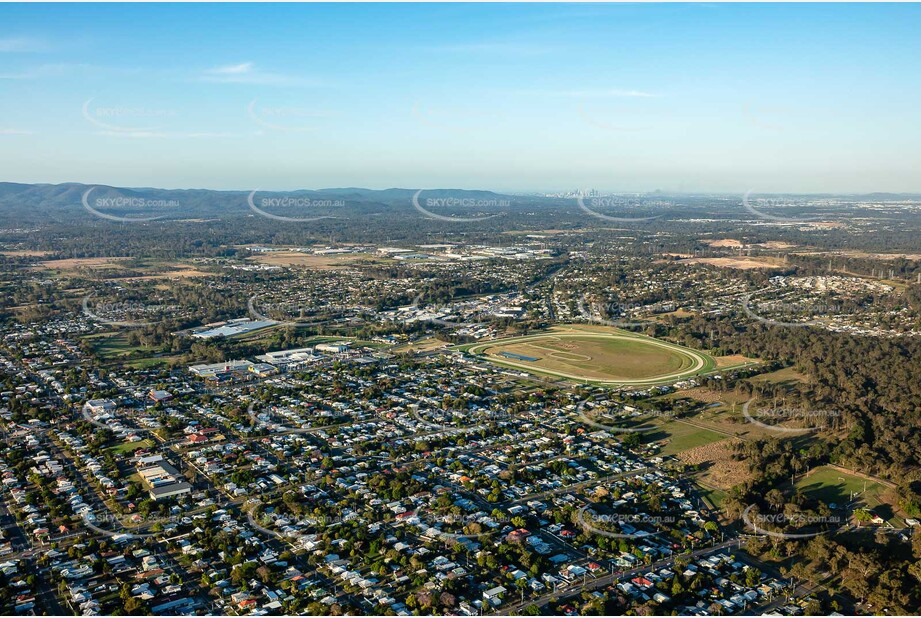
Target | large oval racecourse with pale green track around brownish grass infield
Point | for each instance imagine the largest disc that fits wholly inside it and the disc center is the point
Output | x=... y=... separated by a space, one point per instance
x=613 y=357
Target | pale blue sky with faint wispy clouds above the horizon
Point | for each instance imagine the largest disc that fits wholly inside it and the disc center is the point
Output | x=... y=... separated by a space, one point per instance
x=629 y=97
